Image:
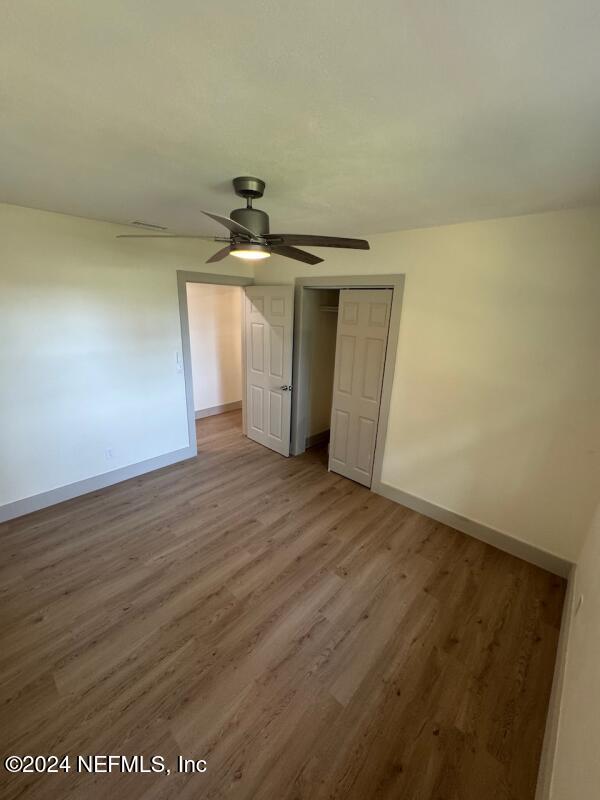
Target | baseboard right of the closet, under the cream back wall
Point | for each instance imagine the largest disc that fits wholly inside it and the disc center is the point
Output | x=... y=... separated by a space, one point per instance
x=503 y=541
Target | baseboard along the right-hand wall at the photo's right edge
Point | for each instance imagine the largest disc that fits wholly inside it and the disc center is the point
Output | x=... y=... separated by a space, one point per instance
x=545 y=772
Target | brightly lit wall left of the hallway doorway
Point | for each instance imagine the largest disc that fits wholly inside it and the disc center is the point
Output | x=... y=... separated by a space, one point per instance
x=89 y=331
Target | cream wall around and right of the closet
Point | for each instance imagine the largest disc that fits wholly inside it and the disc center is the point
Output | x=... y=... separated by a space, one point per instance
x=495 y=401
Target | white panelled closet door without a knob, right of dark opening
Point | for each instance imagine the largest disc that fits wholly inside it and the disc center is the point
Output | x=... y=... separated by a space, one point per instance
x=363 y=322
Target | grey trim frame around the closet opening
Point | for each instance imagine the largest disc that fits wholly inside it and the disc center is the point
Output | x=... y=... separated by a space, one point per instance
x=300 y=363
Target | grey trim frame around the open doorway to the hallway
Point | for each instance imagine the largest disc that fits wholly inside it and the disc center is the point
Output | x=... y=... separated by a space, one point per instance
x=184 y=277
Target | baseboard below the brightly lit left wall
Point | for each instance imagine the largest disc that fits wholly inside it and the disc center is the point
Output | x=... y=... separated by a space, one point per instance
x=20 y=507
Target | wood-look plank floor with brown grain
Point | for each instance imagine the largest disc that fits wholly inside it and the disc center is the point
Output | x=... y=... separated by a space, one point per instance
x=306 y=637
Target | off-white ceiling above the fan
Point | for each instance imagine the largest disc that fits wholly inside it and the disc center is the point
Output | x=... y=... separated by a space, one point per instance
x=361 y=117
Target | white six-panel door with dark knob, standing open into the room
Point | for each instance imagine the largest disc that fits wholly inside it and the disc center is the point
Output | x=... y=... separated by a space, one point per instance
x=269 y=318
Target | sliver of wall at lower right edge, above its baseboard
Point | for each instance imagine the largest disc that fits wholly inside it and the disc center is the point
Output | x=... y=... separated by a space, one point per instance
x=575 y=771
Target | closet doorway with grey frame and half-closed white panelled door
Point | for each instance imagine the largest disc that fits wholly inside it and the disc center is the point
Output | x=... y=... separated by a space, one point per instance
x=357 y=346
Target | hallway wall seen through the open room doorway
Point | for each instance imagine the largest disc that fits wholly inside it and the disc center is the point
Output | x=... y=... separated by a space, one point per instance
x=215 y=320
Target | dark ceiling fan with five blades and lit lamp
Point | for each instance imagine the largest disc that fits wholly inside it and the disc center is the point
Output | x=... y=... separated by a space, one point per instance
x=249 y=236
